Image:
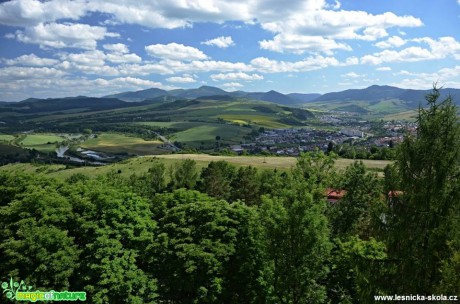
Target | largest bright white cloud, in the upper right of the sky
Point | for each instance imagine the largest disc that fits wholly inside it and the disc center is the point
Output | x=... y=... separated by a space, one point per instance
x=319 y=30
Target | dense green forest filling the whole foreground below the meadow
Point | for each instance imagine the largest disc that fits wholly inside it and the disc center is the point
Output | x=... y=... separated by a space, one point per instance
x=246 y=235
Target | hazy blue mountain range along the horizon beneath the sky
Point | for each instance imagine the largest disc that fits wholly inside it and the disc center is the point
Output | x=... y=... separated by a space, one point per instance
x=371 y=100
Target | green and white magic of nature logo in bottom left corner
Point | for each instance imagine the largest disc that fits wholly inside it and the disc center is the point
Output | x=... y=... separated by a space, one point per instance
x=19 y=291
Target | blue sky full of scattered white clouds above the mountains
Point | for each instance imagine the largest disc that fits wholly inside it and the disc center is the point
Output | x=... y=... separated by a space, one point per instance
x=60 y=48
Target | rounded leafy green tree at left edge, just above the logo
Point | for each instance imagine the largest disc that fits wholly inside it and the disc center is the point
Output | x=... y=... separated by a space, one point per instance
x=35 y=244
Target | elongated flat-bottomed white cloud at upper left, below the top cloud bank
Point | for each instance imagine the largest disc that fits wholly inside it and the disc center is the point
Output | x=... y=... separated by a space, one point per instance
x=69 y=35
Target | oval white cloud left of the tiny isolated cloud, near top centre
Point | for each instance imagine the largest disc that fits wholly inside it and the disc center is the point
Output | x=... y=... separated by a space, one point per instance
x=175 y=51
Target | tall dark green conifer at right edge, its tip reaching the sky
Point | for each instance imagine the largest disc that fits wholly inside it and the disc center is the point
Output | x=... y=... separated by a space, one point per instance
x=424 y=228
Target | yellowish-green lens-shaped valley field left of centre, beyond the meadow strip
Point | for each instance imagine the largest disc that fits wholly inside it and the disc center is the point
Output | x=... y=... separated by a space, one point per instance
x=118 y=143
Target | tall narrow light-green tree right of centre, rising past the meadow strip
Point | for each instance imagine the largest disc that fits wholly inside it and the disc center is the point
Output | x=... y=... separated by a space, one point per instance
x=296 y=235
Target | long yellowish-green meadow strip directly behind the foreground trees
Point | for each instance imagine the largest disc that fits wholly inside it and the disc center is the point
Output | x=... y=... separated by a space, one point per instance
x=139 y=165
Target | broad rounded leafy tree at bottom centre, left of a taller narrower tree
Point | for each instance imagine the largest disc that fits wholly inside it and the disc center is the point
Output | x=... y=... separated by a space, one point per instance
x=205 y=250
